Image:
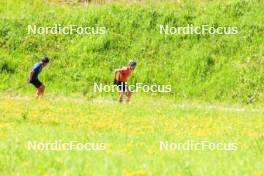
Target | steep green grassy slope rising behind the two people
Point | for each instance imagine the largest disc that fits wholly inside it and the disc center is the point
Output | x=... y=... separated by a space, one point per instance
x=210 y=67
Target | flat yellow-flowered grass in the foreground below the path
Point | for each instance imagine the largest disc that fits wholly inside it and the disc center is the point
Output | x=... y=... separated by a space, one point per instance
x=132 y=133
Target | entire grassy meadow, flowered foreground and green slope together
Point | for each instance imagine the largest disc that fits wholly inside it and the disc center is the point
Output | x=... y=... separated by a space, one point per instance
x=217 y=88
